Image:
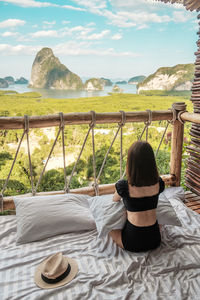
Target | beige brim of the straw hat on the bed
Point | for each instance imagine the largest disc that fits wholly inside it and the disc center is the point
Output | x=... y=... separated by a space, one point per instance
x=43 y=285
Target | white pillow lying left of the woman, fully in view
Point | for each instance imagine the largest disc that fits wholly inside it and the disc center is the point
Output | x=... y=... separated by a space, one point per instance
x=39 y=217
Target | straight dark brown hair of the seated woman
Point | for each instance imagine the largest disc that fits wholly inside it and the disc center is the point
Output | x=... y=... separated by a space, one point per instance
x=141 y=166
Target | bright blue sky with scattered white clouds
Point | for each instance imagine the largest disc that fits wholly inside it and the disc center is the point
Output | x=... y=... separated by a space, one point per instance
x=96 y=38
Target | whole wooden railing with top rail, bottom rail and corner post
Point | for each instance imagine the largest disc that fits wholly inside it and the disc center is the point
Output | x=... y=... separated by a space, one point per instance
x=177 y=115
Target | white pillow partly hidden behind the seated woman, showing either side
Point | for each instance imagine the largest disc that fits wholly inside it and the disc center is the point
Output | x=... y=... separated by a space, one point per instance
x=111 y=215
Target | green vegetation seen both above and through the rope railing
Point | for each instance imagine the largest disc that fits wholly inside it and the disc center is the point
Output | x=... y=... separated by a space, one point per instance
x=53 y=179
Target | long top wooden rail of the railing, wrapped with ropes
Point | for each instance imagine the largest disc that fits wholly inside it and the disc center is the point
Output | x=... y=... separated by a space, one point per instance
x=82 y=118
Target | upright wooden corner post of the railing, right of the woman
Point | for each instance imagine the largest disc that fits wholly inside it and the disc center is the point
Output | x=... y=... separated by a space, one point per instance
x=177 y=142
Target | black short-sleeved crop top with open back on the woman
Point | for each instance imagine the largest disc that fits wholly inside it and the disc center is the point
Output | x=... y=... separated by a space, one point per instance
x=135 y=203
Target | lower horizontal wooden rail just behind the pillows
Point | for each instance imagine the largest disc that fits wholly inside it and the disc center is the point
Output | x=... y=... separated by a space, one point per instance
x=104 y=189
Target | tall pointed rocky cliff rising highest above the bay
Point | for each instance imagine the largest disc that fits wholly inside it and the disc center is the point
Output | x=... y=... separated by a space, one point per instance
x=47 y=72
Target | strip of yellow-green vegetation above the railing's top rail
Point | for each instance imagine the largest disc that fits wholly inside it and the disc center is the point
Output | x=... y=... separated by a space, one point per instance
x=33 y=104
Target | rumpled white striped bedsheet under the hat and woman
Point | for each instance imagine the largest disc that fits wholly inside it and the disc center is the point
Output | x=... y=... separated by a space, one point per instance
x=105 y=271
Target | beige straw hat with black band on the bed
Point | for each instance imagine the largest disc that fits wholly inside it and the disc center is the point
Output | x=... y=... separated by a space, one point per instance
x=55 y=271
